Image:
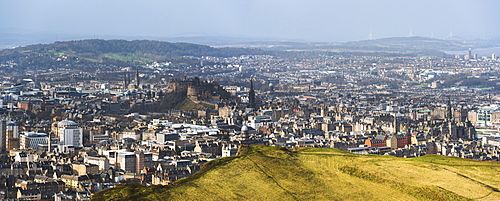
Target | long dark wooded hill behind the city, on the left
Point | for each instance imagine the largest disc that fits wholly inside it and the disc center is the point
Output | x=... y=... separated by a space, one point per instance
x=111 y=52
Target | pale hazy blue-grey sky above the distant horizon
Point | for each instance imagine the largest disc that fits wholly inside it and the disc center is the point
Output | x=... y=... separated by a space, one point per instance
x=308 y=20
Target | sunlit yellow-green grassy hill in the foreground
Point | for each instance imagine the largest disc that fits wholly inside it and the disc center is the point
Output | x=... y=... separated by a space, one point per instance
x=274 y=173
